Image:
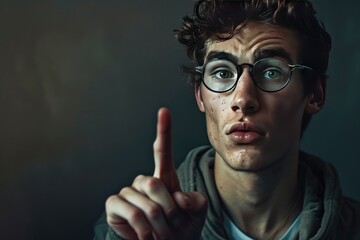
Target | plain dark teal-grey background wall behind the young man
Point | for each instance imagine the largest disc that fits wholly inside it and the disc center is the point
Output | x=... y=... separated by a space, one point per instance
x=80 y=85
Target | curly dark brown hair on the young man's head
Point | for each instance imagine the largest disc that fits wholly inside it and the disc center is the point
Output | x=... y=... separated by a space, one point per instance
x=221 y=19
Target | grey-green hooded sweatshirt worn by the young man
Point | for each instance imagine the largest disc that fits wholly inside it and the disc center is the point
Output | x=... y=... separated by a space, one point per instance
x=326 y=214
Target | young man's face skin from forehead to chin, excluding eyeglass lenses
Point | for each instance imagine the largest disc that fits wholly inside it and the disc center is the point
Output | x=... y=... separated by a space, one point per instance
x=251 y=129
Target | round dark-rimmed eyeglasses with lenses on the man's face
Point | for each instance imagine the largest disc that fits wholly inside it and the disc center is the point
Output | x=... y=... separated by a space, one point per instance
x=268 y=74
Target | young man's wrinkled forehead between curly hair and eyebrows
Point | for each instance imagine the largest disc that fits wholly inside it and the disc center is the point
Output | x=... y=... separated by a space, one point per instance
x=255 y=37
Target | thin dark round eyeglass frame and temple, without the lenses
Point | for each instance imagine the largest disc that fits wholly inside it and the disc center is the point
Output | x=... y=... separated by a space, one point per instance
x=200 y=69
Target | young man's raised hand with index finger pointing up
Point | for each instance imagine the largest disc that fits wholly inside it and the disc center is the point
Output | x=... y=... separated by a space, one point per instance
x=154 y=207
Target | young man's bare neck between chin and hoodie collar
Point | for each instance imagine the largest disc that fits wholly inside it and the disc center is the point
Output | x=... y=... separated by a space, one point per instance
x=260 y=203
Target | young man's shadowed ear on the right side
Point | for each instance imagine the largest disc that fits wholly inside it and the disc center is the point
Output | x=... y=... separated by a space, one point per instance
x=316 y=98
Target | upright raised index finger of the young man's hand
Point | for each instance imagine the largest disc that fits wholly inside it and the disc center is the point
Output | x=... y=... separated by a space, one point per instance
x=163 y=154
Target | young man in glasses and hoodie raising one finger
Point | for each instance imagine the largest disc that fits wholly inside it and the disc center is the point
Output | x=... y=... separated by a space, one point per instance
x=259 y=75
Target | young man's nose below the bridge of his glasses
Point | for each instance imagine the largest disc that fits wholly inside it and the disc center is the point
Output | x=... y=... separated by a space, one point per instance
x=245 y=95
